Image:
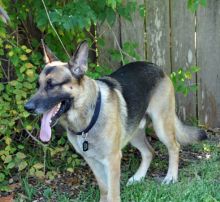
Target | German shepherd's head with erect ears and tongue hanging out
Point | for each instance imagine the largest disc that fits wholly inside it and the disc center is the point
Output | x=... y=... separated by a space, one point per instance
x=59 y=84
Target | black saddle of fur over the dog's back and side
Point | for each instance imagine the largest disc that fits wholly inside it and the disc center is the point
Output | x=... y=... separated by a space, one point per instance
x=136 y=81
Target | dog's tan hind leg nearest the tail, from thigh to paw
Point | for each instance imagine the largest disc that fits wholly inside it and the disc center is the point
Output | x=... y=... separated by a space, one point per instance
x=162 y=112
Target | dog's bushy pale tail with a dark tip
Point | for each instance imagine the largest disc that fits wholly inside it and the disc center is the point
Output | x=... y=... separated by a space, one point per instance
x=188 y=134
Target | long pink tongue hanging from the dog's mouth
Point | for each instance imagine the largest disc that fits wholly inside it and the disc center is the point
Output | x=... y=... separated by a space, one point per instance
x=45 y=131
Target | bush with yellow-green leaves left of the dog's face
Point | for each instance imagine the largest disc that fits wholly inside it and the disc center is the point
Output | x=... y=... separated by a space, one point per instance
x=18 y=84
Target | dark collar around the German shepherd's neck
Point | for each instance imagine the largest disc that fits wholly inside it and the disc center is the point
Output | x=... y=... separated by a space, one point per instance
x=94 y=117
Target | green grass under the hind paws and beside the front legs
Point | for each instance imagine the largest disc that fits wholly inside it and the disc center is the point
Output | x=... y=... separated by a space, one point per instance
x=199 y=182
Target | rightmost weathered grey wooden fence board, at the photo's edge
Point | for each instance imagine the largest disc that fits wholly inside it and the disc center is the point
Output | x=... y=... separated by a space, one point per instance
x=208 y=54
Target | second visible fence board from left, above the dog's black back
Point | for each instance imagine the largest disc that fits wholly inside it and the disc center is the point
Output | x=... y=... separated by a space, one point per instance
x=133 y=31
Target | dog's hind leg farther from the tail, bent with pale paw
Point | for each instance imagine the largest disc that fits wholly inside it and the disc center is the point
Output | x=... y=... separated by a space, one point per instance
x=141 y=143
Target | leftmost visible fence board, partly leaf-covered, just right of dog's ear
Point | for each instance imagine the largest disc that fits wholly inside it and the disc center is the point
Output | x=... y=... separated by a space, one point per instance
x=111 y=37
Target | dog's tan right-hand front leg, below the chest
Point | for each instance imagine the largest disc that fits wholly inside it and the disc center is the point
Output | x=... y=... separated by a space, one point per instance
x=112 y=167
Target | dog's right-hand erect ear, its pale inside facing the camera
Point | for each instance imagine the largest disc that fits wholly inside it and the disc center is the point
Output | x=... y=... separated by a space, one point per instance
x=78 y=64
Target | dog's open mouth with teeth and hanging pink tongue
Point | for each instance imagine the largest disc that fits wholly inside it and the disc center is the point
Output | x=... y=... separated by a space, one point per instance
x=51 y=117
